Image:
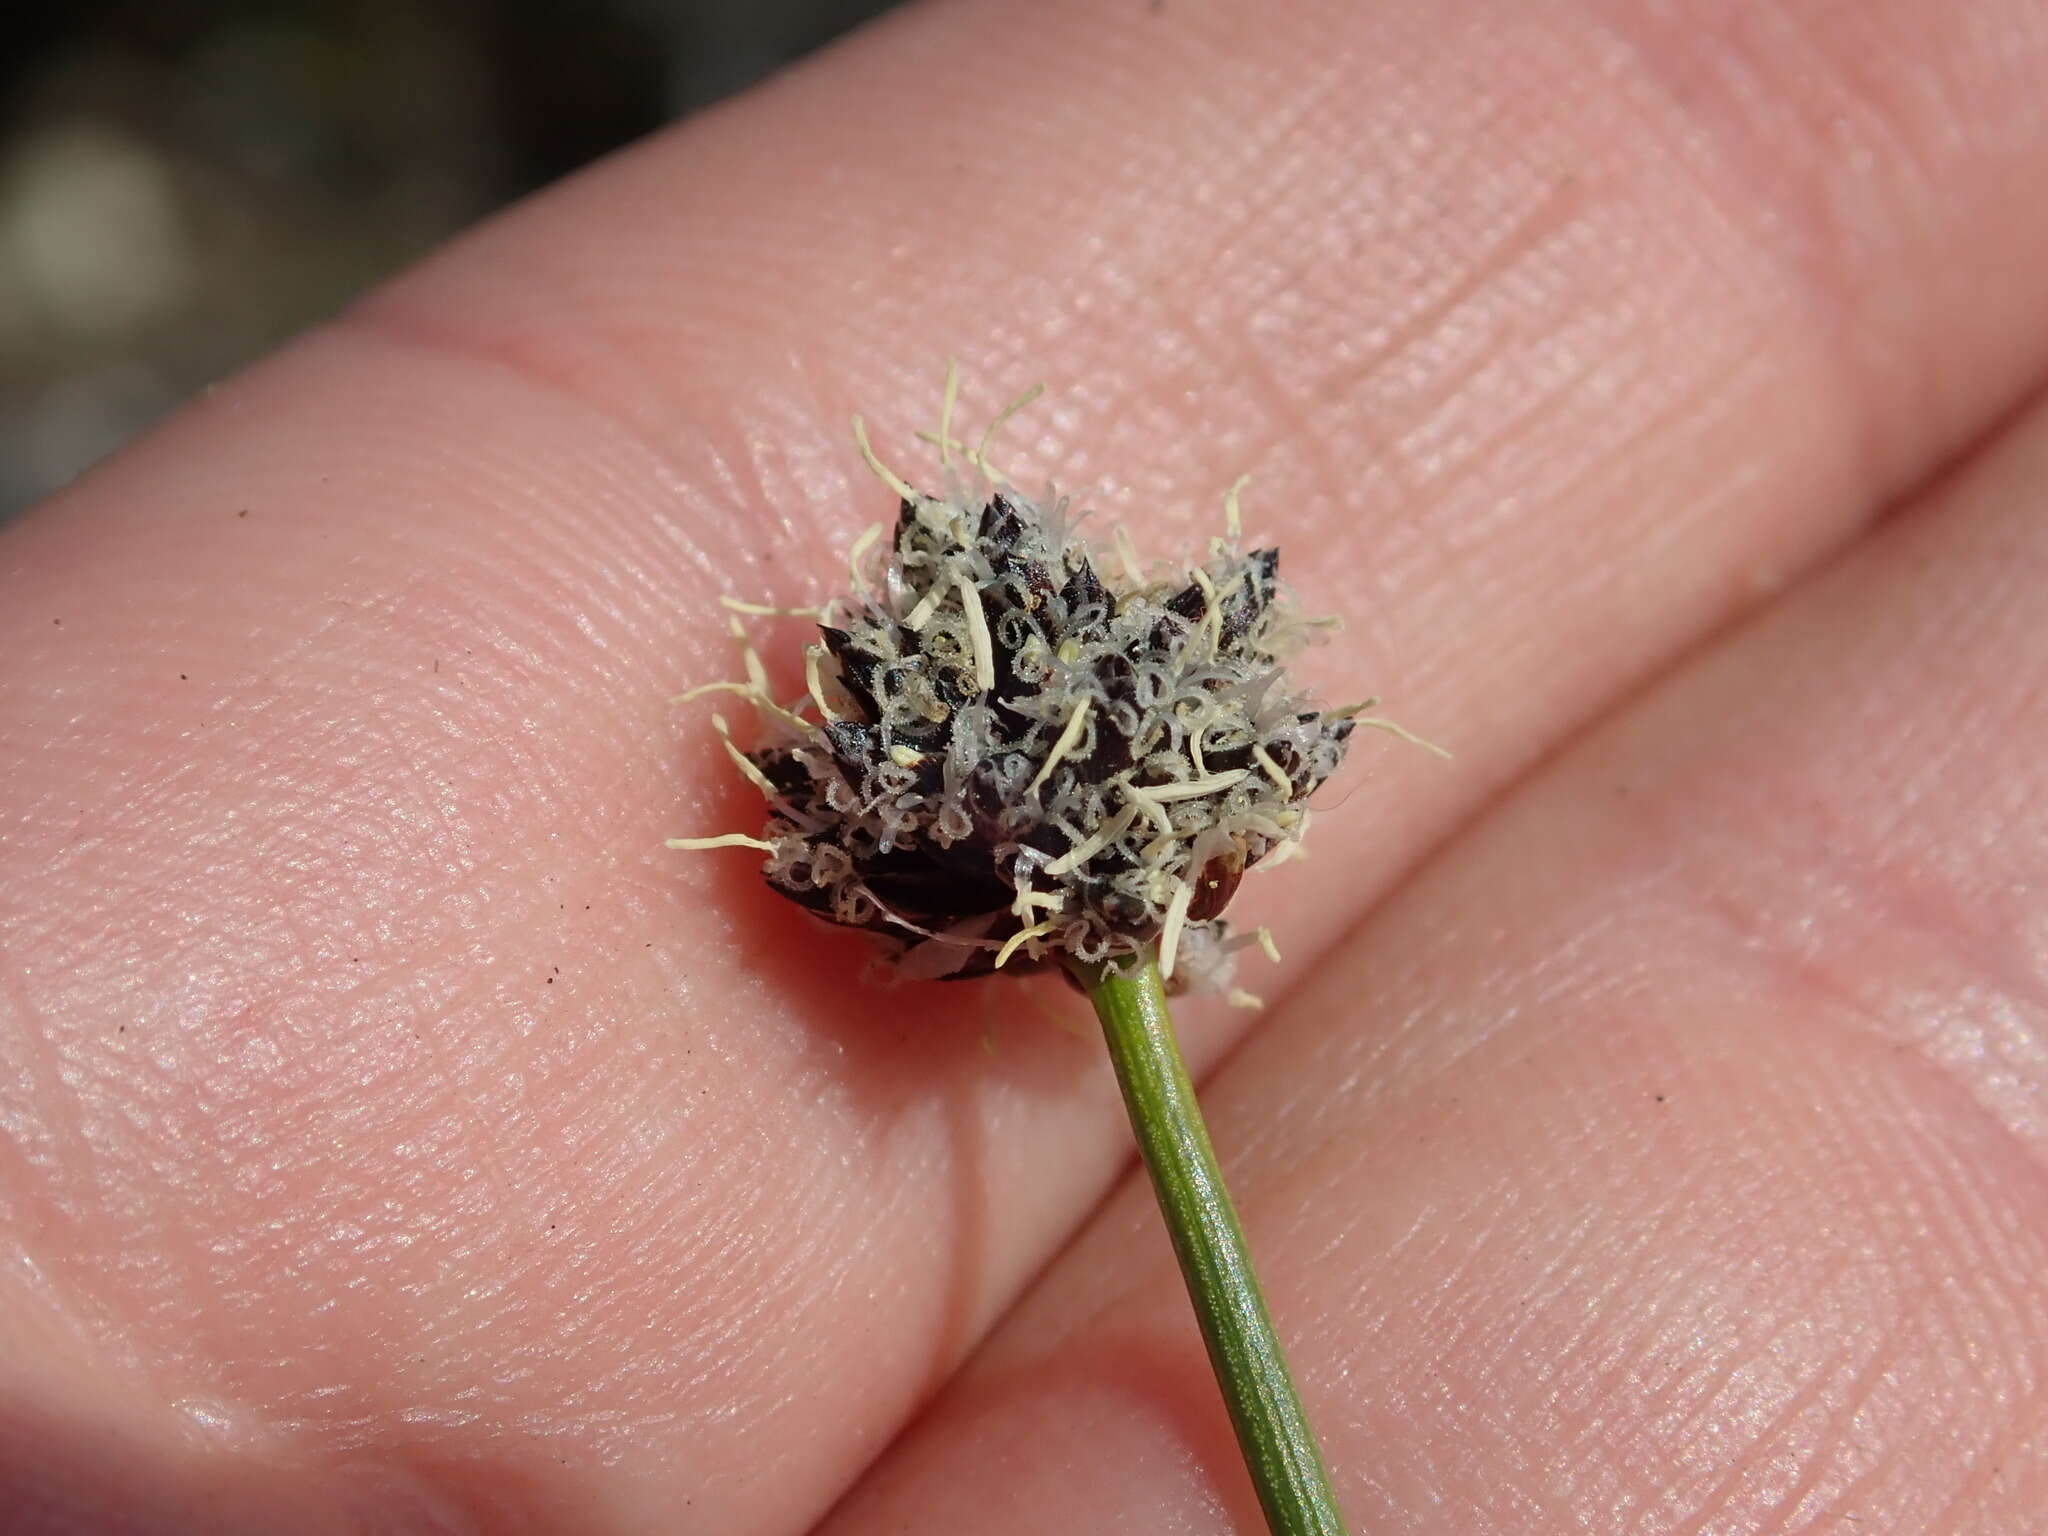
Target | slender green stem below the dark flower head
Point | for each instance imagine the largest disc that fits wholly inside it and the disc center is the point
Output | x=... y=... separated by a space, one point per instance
x=1273 y=1428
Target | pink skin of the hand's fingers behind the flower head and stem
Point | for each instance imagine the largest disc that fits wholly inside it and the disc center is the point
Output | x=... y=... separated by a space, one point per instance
x=1648 y=1132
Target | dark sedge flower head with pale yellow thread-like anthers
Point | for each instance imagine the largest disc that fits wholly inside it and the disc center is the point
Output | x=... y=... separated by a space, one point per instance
x=1009 y=755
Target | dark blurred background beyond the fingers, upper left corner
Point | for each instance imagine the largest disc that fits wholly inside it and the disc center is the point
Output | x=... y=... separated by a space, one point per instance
x=185 y=183
